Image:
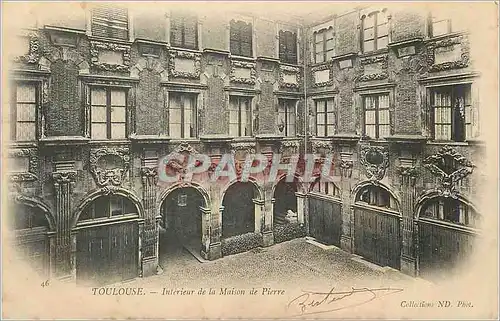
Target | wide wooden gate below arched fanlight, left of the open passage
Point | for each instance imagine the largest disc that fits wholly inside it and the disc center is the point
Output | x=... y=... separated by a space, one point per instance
x=107 y=254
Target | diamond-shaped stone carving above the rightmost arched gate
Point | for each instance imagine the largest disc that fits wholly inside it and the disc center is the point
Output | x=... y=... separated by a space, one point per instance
x=448 y=175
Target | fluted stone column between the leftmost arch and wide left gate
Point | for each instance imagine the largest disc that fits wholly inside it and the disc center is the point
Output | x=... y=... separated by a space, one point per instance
x=64 y=182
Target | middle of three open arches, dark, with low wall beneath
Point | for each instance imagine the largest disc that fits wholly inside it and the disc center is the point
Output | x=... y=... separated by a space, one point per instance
x=239 y=209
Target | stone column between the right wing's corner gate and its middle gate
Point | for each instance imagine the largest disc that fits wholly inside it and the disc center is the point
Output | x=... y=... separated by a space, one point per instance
x=346 y=238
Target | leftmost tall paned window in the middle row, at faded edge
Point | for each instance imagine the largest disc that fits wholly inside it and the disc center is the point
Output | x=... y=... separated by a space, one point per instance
x=24 y=112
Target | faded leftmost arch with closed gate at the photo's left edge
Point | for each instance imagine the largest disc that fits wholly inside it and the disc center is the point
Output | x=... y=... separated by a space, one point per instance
x=31 y=243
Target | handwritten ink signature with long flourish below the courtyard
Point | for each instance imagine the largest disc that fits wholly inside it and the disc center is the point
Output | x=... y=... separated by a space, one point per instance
x=310 y=302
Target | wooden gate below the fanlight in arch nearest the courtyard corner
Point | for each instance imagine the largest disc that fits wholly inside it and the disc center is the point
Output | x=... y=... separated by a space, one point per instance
x=325 y=220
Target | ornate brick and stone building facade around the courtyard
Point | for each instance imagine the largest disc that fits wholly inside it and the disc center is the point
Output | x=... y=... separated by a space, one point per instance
x=97 y=102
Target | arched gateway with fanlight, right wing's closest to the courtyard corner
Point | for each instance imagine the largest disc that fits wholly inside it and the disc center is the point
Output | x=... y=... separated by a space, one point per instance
x=325 y=212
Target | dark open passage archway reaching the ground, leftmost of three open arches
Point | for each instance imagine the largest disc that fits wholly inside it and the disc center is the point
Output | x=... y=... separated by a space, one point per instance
x=181 y=224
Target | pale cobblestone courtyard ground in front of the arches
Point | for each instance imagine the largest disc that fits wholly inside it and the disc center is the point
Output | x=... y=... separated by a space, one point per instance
x=296 y=261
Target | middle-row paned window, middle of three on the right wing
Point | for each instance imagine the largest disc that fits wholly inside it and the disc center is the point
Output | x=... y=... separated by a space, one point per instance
x=377 y=115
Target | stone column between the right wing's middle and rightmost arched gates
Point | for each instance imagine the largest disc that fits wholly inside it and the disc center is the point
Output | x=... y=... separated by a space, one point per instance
x=408 y=257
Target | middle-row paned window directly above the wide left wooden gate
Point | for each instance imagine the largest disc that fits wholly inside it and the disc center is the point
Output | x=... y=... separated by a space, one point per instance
x=108 y=113
